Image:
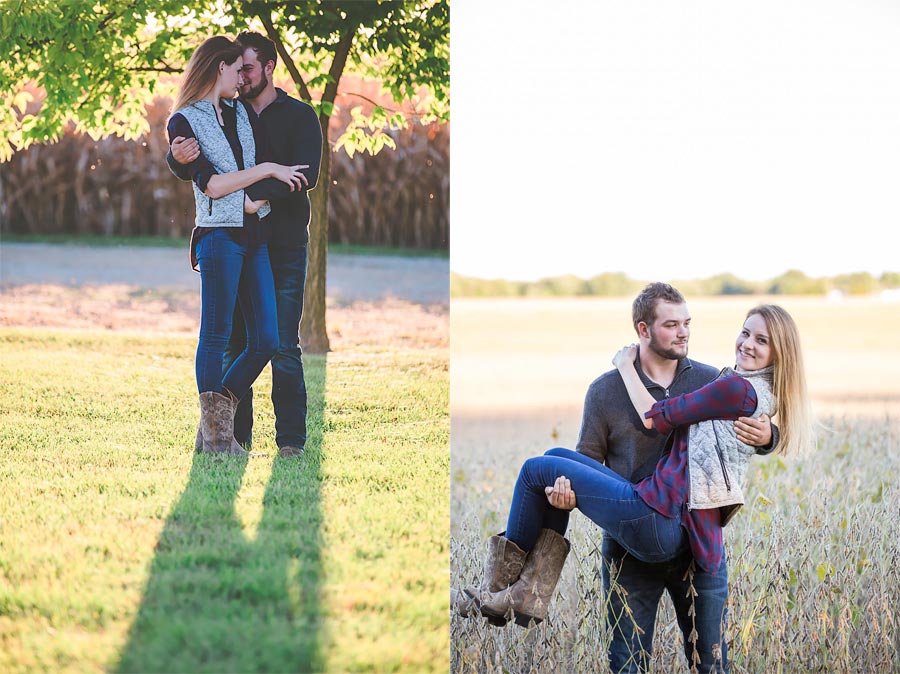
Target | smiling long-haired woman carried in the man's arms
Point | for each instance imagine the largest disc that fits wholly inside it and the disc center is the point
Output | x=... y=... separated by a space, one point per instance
x=694 y=491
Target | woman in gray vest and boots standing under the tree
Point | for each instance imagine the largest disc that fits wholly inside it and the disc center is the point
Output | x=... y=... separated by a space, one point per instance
x=228 y=243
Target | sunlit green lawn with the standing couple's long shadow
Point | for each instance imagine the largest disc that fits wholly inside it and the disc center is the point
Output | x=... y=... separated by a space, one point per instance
x=121 y=550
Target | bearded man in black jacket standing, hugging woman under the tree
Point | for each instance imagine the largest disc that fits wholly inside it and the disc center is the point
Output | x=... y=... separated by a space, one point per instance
x=296 y=139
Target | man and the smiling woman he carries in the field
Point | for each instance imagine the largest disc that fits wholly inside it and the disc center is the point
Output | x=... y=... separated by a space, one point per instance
x=663 y=450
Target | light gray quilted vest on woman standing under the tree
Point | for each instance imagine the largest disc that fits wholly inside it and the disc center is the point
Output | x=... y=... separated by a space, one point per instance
x=227 y=211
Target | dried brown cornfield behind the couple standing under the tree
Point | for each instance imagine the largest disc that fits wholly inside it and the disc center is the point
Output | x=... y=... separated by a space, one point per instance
x=116 y=187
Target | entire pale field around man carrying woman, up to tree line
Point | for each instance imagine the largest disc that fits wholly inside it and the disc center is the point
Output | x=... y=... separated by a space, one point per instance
x=814 y=557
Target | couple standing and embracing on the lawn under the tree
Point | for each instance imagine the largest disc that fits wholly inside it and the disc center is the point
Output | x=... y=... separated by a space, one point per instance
x=251 y=161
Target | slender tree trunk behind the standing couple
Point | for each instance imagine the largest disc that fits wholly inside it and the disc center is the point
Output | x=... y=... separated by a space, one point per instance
x=313 y=332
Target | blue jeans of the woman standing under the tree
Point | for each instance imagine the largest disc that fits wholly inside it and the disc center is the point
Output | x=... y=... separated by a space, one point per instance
x=232 y=274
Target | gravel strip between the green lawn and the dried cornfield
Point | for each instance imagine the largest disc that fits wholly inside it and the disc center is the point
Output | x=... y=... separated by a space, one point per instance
x=371 y=299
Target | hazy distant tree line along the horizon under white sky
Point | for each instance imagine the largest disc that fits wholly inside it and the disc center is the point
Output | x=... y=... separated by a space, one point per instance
x=617 y=284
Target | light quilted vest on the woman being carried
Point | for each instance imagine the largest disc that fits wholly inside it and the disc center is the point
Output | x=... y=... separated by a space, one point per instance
x=717 y=460
